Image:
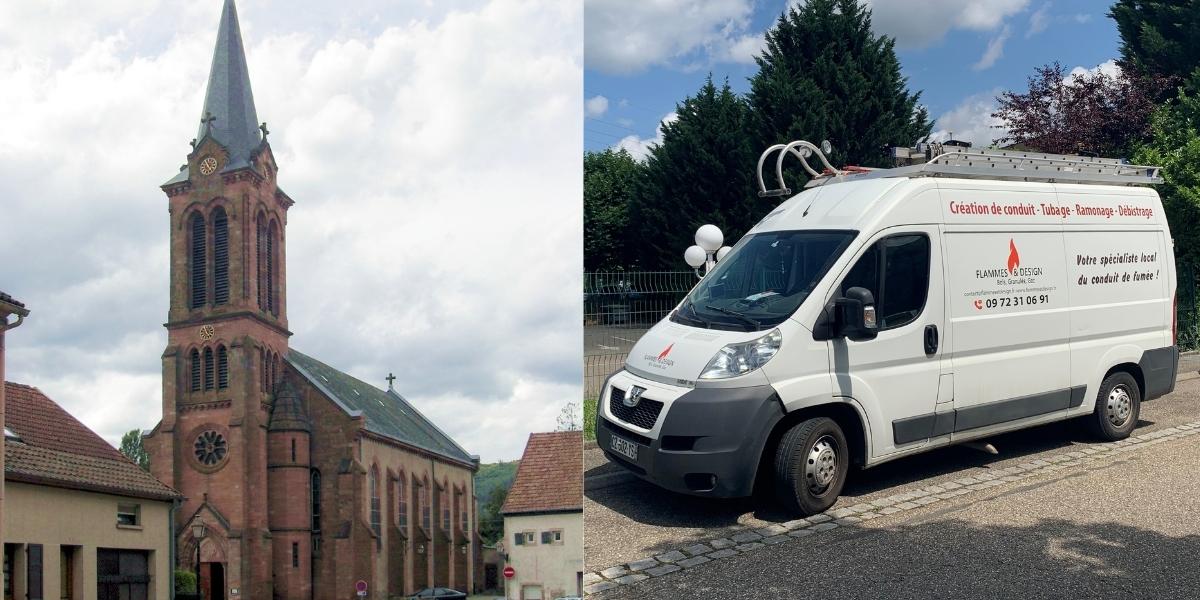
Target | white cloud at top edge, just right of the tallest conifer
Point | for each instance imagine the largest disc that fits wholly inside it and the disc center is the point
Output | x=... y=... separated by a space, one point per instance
x=917 y=25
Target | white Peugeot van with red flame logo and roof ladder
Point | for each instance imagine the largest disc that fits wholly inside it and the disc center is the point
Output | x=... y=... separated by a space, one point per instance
x=889 y=313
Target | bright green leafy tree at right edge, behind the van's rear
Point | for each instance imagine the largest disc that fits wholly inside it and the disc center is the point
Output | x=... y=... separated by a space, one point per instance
x=1175 y=146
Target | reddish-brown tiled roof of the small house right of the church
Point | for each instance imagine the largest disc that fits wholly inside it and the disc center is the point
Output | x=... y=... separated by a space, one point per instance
x=550 y=478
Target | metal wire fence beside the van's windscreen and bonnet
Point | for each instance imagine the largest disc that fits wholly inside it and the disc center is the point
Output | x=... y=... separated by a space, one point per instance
x=619 y=308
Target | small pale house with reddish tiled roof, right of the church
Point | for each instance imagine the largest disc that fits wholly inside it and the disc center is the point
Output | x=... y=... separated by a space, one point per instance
x=544 y=520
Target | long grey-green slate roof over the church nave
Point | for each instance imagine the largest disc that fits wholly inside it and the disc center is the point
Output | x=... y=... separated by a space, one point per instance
x=387 y=413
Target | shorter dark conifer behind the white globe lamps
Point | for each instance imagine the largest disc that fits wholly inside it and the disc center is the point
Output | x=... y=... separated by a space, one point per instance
x=701 y=173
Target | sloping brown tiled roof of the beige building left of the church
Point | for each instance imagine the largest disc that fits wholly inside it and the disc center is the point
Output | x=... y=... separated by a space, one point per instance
x=56 y=449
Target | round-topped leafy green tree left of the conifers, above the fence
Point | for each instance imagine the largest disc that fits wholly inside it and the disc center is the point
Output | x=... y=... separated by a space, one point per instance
x=609 y=179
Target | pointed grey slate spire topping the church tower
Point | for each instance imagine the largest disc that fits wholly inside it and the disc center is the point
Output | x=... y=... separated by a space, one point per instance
x=229 y=112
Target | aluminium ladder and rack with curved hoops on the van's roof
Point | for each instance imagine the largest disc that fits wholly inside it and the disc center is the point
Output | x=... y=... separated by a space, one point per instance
x=968 y=164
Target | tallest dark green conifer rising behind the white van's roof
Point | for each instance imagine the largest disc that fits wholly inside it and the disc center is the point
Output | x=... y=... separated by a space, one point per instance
x=824 y=75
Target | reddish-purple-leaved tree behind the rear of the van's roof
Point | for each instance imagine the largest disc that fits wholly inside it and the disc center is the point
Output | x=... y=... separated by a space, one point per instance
x=1077 y=113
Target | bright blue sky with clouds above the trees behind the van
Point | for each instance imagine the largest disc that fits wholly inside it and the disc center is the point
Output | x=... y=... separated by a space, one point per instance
x=645 y=57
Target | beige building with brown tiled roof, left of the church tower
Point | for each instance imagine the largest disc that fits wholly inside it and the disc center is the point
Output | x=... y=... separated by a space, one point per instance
x=81 y=521
